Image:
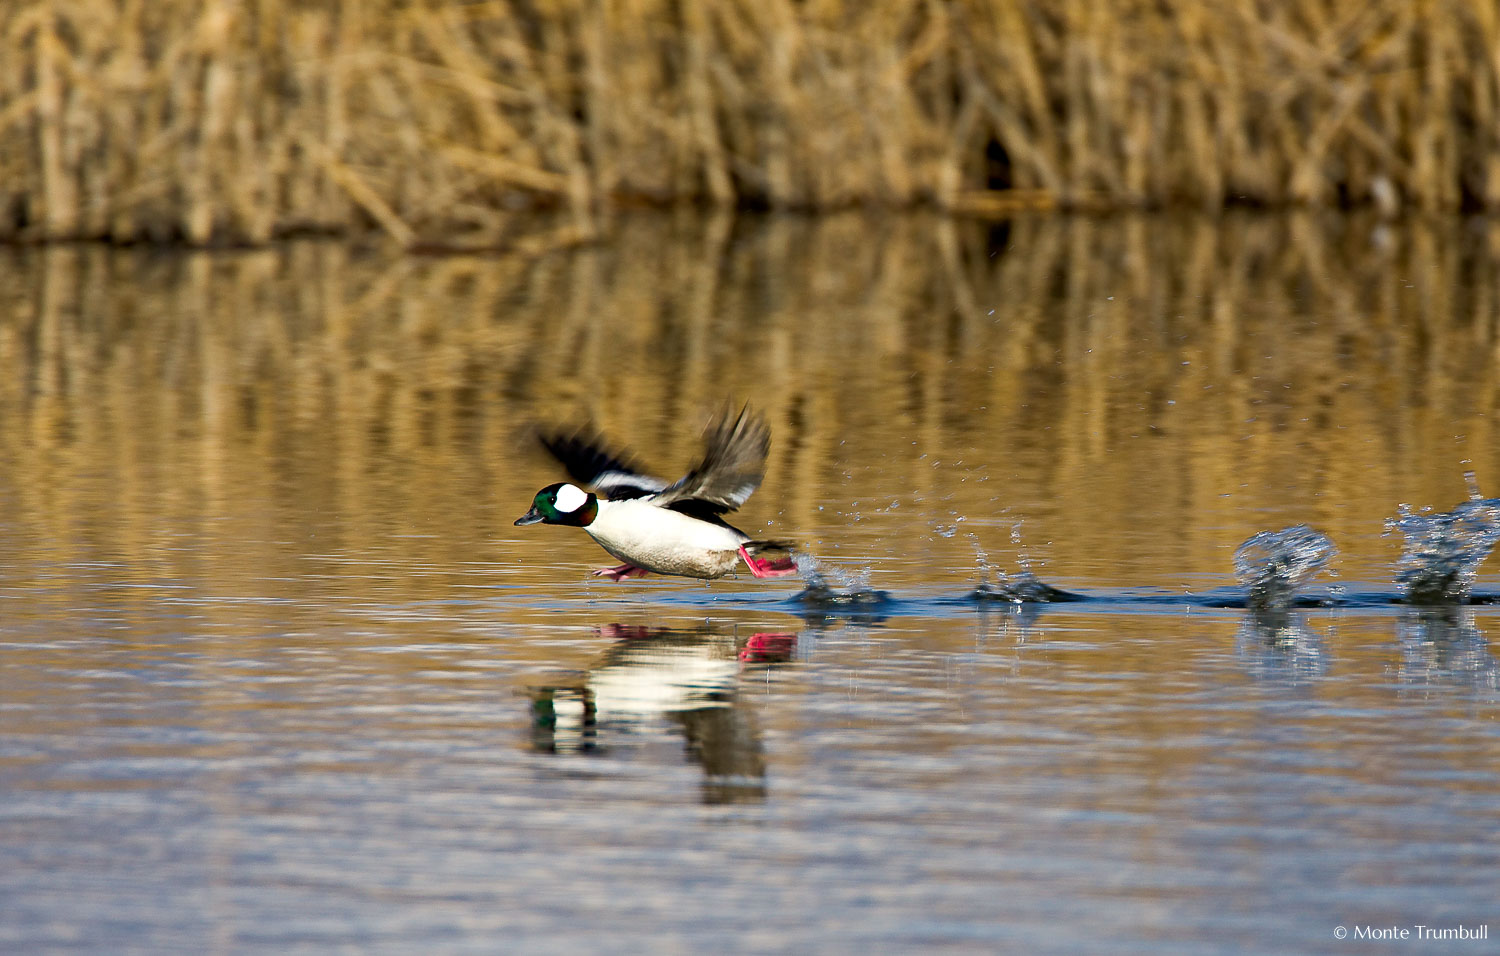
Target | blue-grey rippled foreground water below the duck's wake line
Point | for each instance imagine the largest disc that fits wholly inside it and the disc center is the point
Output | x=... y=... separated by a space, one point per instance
x=377 y=777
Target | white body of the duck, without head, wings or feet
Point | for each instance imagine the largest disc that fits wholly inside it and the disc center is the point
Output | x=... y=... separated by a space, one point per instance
x=664 y=541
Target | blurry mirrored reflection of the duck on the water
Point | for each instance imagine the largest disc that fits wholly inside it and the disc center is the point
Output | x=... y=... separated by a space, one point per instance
x=688 y=679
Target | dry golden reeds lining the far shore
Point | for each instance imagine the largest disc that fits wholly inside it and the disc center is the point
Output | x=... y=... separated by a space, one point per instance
x=449 y=125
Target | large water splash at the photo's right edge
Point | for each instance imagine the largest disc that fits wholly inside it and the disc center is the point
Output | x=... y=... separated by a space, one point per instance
x=1442 y=552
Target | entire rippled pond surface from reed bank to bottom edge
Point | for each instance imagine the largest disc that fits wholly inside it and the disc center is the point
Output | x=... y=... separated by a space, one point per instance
x=277 y=672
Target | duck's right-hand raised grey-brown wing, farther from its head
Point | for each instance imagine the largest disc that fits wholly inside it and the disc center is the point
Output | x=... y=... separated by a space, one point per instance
x=736 y=449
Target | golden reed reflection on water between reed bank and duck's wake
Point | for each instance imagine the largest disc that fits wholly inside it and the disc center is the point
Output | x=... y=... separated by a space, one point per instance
x=1142 y=394
